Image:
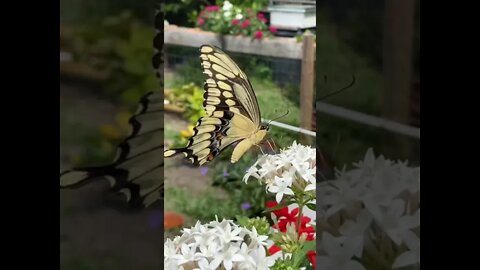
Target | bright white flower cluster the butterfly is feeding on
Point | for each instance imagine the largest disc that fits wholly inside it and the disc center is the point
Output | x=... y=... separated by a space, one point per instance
x=293 y=169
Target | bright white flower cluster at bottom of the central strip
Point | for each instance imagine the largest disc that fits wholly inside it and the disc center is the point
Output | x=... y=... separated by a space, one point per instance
x=217 y=245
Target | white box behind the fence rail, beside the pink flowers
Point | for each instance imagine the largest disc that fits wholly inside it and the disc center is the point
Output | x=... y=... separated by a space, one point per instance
x=292 y=17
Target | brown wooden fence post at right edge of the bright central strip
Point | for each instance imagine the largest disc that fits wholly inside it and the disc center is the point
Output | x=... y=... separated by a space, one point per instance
x=307 y=85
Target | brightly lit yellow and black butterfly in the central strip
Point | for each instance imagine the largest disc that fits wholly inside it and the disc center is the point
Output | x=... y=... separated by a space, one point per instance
x=232 y=111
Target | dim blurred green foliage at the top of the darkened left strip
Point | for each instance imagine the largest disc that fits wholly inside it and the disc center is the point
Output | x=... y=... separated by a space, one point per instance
x=122 y=46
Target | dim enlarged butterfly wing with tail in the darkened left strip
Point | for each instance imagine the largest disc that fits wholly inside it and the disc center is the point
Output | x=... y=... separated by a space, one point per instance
x=137 y=170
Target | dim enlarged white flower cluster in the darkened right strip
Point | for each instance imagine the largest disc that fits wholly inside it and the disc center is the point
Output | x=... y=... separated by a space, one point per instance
x=379 y=203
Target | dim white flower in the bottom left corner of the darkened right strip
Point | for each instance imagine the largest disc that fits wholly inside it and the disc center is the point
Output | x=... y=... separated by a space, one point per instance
x=339 y=255
